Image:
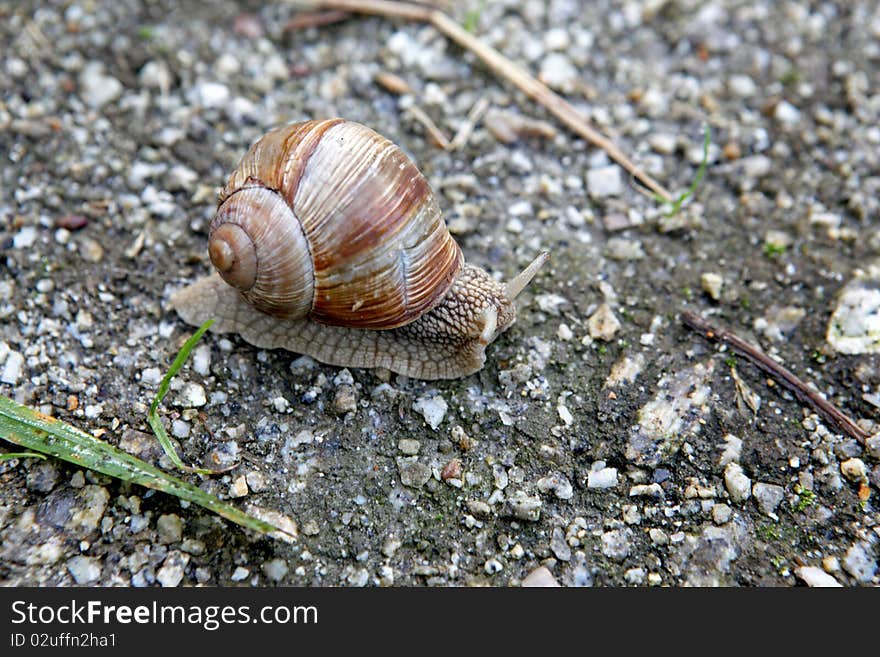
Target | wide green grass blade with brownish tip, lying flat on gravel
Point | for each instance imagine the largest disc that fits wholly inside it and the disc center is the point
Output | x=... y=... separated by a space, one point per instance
x=28 y=428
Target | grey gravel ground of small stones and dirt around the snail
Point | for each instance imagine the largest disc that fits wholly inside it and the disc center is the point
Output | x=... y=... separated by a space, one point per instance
x=602 y=444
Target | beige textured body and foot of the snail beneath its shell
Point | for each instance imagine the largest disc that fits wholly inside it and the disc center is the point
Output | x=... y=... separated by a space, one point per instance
x=445 y=343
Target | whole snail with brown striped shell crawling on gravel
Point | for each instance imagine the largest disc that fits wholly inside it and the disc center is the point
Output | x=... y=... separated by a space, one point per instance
x=329 y=242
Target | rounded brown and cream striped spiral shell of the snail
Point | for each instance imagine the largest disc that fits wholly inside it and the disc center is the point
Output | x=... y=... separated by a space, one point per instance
x=330 y=220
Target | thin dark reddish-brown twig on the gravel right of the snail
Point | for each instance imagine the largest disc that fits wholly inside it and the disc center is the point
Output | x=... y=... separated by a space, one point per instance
x=785 y=377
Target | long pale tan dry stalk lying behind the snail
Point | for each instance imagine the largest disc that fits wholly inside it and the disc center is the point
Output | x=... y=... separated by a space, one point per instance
x=499 y=64
